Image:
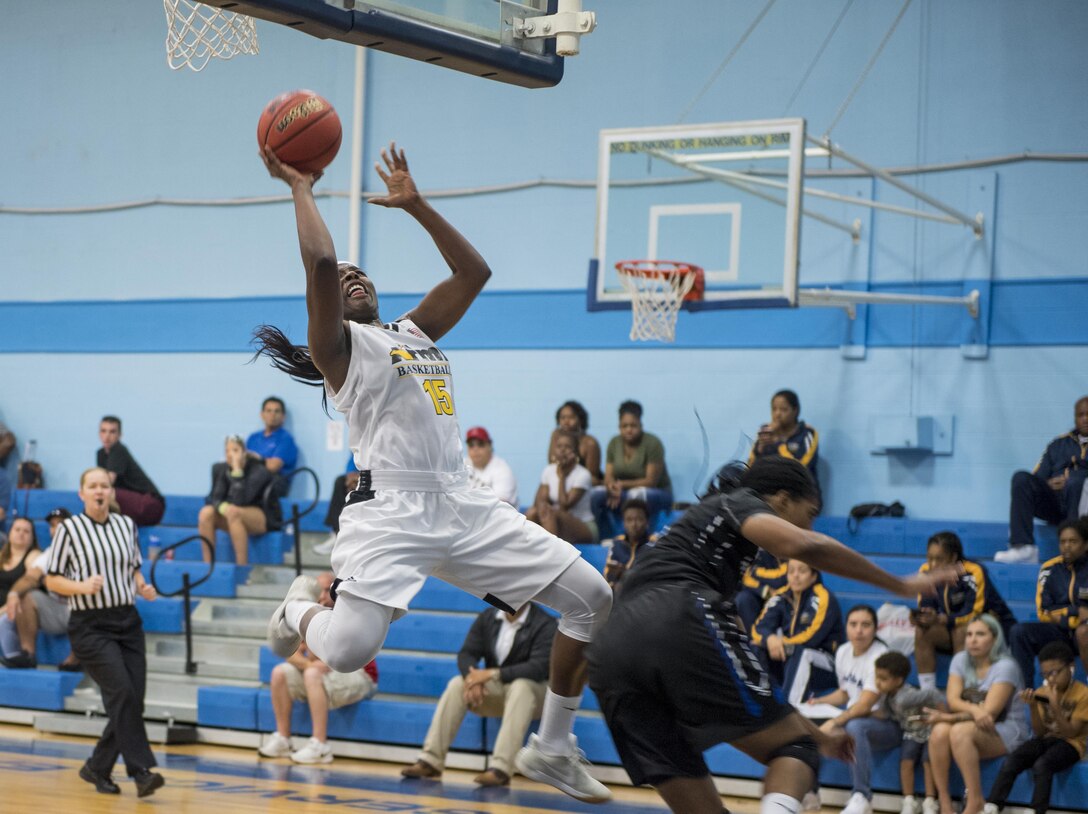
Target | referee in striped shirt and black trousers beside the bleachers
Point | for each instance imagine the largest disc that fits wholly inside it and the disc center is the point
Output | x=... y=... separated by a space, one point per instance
x=95 y=562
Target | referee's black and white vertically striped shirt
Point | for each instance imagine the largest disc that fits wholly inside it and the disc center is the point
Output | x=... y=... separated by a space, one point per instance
x=83 y=549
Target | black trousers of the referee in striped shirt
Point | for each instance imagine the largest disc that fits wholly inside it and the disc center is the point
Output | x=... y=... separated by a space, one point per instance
x=109 y=645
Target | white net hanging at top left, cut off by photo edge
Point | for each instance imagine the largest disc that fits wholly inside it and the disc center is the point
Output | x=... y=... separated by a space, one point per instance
x=196 y=33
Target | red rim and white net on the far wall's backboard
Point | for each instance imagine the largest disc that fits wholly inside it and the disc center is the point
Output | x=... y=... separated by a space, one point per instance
x=658 y=289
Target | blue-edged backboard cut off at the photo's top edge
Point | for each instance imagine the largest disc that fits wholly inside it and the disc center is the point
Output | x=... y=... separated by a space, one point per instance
x=473 y=36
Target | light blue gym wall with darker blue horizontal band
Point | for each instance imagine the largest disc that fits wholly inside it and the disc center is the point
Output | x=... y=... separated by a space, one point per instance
x=145 y=312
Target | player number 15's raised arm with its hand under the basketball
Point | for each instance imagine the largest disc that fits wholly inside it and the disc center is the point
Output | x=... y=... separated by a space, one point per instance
x=325 y=301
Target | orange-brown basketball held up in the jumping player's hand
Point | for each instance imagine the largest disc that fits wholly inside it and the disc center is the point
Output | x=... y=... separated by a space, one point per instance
x=302 y=129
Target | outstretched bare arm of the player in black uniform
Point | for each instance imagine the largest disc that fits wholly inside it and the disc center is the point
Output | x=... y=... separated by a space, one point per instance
x=786 y=541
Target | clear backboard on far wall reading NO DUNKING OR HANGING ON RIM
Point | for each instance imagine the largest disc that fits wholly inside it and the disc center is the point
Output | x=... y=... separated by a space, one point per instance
x=726 y=198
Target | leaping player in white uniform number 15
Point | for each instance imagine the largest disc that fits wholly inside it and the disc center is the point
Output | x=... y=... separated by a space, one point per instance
x=414 y=513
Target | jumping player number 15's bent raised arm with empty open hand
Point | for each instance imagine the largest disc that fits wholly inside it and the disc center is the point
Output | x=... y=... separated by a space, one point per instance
x=443 y=307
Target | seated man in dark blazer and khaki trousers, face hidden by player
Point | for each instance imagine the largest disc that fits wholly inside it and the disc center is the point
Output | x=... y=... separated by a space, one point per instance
x=515 y=650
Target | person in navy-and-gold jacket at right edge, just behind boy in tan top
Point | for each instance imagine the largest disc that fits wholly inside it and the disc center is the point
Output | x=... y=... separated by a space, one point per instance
x=1060 y=591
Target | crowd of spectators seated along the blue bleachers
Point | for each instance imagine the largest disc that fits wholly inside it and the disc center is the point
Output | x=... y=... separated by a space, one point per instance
x=833 y=668
